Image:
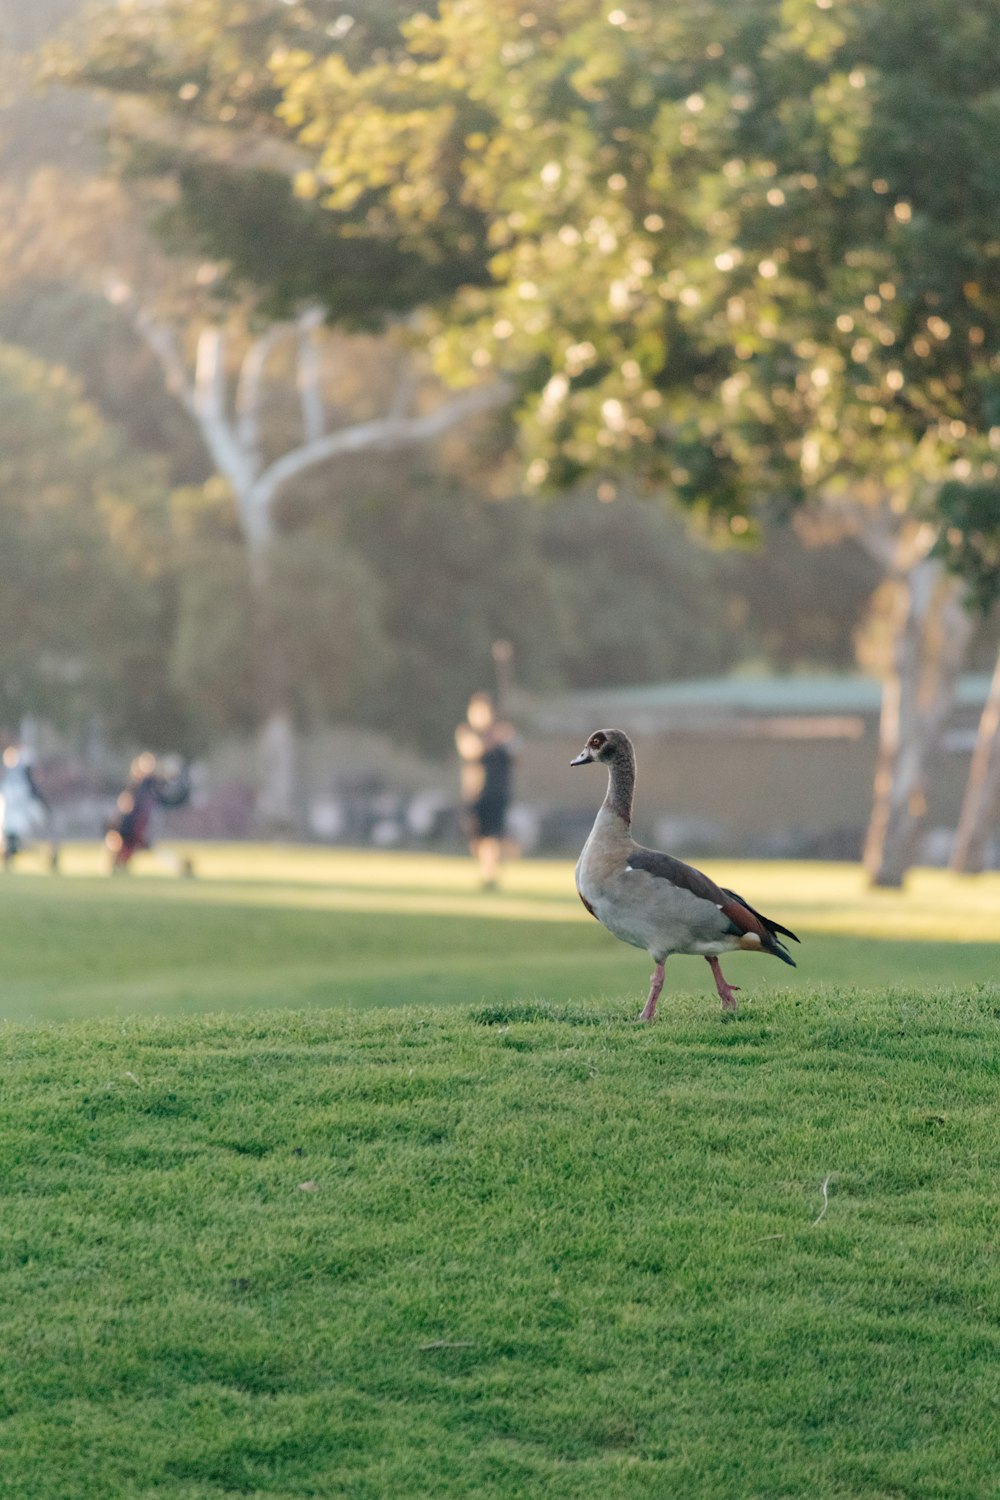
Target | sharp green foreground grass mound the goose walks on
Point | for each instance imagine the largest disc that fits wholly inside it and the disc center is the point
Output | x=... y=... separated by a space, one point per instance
x=506 y=1250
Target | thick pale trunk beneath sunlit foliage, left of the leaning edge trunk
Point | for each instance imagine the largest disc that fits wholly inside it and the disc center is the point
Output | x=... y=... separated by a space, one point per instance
x=932 y=640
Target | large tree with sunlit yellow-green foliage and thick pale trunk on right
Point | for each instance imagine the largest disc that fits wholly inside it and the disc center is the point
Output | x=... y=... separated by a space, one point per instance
x=740 y=250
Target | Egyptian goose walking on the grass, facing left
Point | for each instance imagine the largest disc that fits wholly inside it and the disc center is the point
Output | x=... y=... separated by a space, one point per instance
x=653 y=901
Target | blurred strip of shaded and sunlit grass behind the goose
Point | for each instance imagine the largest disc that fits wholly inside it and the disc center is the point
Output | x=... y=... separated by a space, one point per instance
x=271 y=928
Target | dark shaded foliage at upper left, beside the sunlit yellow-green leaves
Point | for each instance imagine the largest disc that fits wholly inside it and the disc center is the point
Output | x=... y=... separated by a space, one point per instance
x=211 y=67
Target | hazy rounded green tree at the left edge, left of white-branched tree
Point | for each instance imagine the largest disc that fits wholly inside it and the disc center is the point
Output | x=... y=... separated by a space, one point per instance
x=86 y=598
